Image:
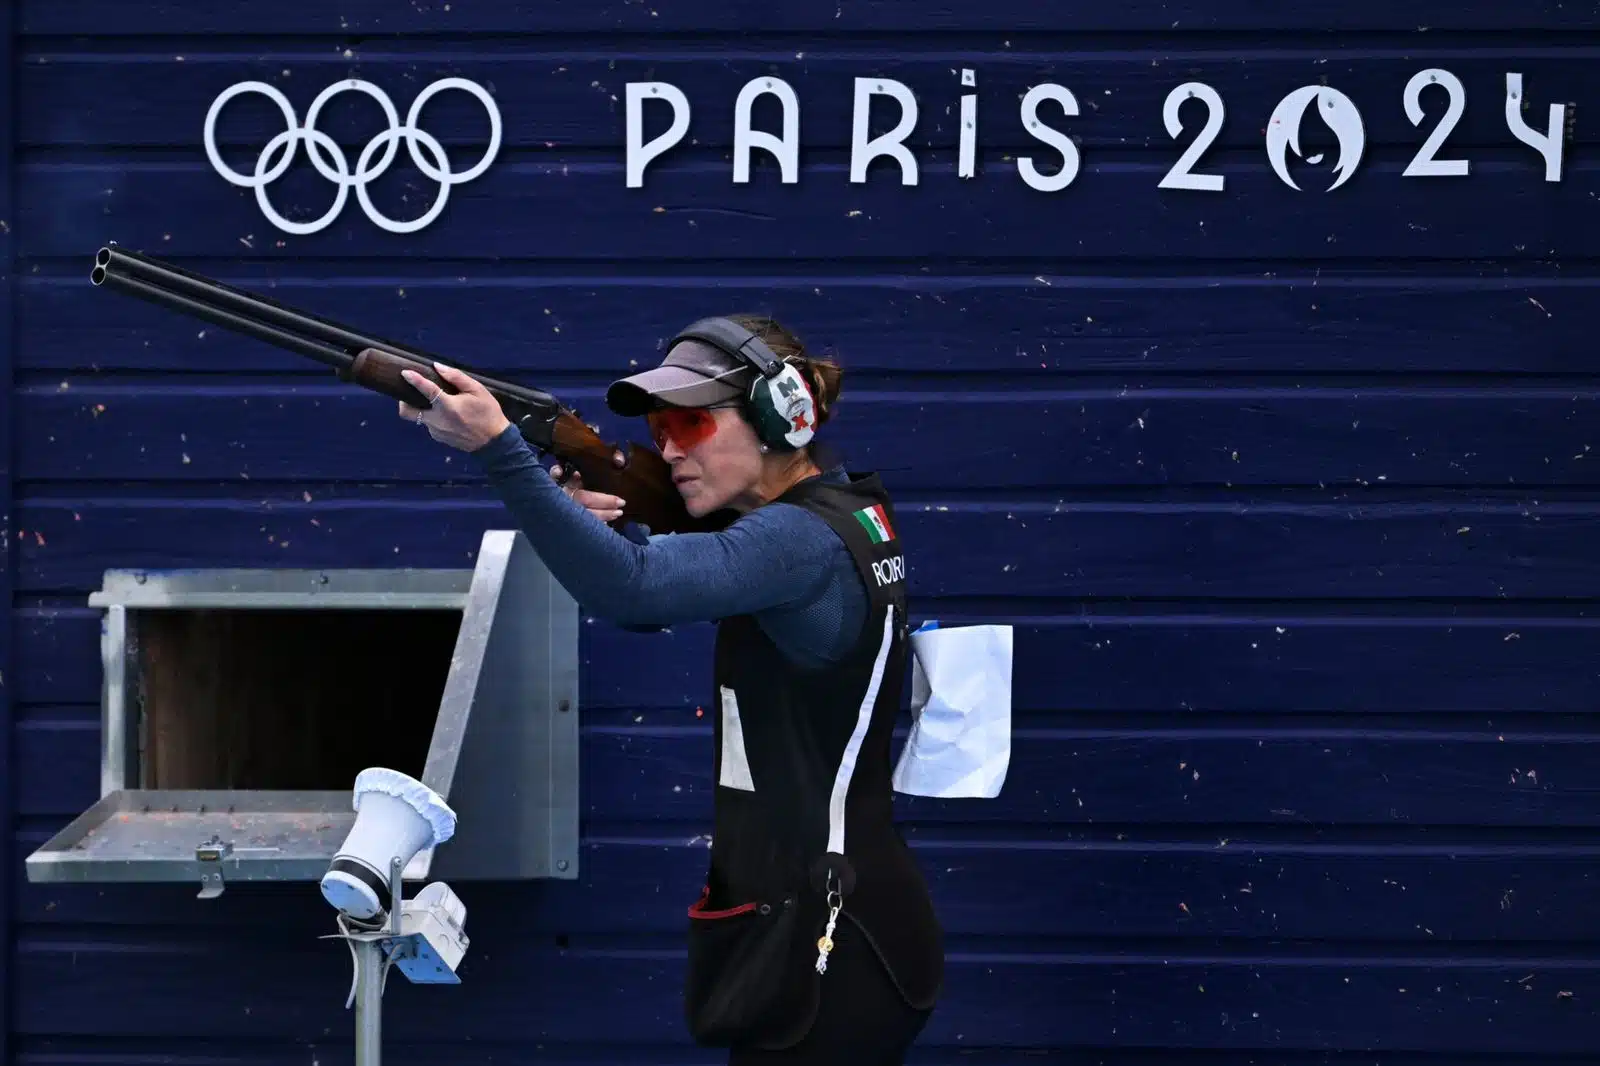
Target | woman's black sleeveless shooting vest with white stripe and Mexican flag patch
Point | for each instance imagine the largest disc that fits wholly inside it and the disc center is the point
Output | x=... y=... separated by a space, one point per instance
x=804 y=808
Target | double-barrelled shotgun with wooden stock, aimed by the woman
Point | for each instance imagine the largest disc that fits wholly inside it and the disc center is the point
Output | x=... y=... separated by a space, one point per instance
x=644 y=479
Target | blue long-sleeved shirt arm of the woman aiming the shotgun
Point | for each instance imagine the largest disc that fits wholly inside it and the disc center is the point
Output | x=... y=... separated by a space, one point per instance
x=782 y=564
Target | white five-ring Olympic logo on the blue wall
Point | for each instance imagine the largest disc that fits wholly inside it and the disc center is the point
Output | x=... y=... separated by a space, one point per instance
x=332 y=162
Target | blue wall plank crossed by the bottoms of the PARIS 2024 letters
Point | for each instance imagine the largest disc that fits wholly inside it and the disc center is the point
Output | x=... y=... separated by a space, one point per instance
x=570 y=210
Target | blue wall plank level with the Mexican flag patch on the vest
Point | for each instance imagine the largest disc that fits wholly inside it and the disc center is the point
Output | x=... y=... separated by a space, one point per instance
x=1497 y=551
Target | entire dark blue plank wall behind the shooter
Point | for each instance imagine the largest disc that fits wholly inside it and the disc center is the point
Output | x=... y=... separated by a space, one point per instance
x=1292 y=499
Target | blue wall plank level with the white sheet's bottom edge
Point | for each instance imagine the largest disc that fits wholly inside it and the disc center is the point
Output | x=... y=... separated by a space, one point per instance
x=660 y=771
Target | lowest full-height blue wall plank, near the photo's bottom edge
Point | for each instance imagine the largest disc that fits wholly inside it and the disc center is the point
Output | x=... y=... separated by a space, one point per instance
x=1007 y=998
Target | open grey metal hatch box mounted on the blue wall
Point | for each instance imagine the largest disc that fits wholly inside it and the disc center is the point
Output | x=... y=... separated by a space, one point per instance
x=239 y=707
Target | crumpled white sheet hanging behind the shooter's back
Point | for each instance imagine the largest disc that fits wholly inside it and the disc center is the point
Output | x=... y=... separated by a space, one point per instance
x=961 y=702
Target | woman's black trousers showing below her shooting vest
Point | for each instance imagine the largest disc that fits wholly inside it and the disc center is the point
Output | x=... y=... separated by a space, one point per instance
x=863 y=1020
